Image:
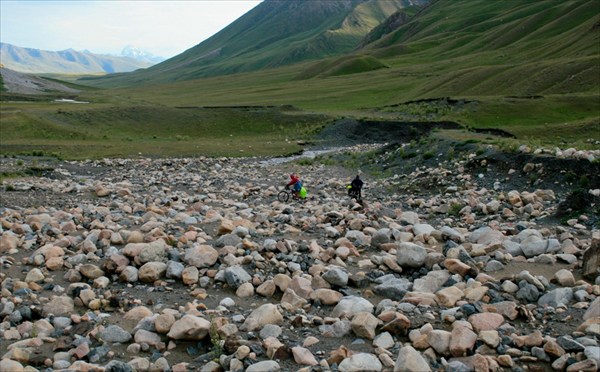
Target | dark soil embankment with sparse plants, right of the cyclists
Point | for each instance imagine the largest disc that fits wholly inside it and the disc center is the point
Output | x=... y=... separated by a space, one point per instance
x=570 y=179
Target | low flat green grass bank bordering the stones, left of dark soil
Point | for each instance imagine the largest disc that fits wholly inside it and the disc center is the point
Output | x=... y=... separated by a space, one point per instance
x=111 y=130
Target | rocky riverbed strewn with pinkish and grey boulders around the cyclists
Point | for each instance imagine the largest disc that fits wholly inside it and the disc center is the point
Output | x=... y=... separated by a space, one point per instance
x=193 y=264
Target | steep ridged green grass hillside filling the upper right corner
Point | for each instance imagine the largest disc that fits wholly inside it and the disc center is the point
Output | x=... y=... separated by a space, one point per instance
x=516 y=47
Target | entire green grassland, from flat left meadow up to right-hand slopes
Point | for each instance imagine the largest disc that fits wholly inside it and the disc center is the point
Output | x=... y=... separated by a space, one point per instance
x=531 y=68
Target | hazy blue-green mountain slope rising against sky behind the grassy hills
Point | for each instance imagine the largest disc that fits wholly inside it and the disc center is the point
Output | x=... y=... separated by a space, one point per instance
x=275 y=33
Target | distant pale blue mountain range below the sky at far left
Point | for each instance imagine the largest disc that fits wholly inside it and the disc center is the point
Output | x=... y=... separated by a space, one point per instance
x=67 y=61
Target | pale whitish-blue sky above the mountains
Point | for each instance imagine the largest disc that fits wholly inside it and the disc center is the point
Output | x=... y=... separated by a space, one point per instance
x=164 y=28
